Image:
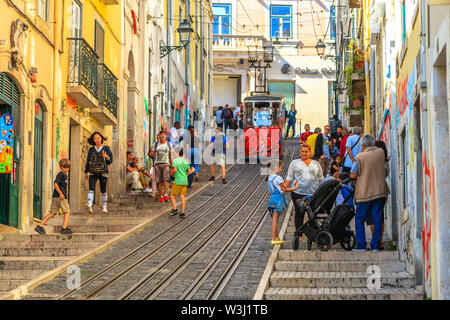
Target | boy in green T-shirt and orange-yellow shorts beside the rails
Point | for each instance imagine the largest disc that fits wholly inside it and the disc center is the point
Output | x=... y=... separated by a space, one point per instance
x=180 y=169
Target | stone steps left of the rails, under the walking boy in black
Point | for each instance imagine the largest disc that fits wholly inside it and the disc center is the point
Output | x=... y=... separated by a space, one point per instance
x=28 y=255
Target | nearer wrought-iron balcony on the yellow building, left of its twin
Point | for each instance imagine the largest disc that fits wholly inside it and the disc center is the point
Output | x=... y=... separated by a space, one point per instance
x=82 y=83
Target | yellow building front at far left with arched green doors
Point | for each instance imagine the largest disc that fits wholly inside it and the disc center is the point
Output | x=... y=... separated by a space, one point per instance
x=28 y=42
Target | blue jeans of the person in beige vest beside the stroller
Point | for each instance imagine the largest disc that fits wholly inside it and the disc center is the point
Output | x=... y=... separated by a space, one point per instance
x=376 y=209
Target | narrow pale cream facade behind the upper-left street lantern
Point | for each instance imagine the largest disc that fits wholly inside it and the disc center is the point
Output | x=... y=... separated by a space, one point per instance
x=188 y=81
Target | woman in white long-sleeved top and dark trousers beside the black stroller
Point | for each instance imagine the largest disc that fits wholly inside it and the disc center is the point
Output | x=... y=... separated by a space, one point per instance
x=308 y=173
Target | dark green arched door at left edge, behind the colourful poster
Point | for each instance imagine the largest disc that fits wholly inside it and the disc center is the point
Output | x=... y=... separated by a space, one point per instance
x=9 y=182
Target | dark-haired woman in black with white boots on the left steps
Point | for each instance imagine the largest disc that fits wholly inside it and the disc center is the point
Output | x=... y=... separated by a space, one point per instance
x=97 y=162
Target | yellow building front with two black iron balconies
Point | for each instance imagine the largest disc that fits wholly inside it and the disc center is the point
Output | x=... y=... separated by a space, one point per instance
x=87 y=68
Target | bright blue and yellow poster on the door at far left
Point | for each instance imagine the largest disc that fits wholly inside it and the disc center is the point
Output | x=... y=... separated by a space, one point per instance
x=6 y=143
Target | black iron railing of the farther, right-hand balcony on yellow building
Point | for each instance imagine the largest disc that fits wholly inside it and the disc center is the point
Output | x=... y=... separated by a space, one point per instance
x=107 y=89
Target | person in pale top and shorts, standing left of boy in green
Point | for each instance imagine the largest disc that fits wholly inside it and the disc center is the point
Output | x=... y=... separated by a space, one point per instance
x=163 y=161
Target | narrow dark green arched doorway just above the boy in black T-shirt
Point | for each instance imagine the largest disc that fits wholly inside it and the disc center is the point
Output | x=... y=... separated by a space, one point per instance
x=38 y=151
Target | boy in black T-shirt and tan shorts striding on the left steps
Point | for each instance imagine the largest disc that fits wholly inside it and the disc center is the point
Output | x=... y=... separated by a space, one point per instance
x=59 y=199
